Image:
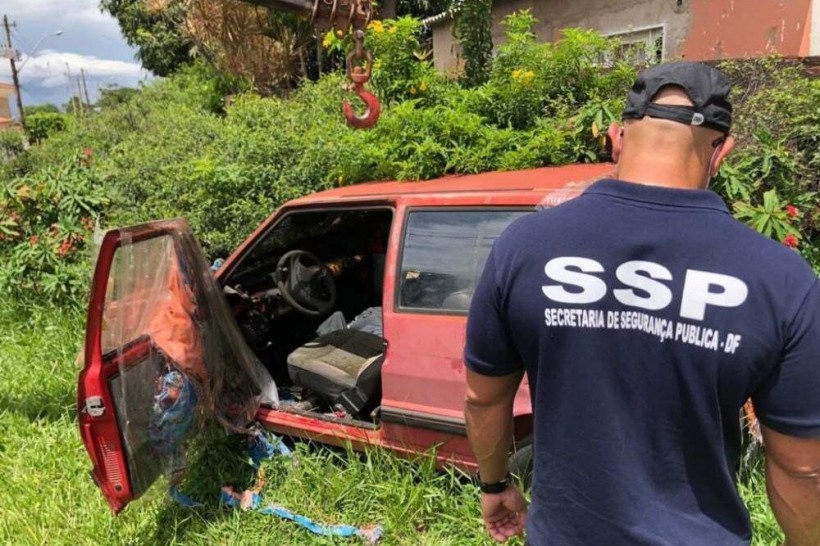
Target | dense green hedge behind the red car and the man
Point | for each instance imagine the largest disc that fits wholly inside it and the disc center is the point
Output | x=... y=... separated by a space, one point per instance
x=178 y=148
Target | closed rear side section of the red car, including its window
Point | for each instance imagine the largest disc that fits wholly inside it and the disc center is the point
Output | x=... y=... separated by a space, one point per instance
x=443 y=251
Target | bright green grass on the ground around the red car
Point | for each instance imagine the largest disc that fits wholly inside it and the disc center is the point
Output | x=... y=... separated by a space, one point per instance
x=47 y=496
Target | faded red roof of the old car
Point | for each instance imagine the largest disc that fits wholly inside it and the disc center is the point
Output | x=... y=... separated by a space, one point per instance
x=574 y=177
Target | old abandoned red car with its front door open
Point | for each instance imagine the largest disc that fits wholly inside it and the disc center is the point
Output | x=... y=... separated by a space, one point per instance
x=341 y=319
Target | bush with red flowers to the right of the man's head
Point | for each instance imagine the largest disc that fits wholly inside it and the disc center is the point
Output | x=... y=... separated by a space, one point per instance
x=774 y=172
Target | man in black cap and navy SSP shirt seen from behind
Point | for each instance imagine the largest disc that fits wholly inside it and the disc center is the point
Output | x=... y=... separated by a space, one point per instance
x=644 y=316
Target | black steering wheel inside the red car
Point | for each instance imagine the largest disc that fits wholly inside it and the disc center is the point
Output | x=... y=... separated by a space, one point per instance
x=305 y=282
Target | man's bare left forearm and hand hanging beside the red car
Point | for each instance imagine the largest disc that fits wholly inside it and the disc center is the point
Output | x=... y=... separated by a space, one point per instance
x=488 y=410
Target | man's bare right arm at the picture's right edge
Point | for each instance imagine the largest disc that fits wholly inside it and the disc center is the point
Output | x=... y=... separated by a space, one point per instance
x=793 y=485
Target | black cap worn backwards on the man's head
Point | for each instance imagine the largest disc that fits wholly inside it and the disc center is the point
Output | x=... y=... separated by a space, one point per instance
x=707 y=87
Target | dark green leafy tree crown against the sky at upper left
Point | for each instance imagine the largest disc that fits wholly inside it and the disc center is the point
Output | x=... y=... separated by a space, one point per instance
x=156 y=30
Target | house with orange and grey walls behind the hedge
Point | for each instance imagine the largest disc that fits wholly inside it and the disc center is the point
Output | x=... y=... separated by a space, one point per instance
x=659 y=30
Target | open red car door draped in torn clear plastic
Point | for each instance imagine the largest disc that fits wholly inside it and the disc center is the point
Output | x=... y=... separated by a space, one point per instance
x=163 y=357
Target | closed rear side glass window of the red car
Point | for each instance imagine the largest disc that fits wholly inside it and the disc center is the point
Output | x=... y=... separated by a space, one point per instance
x=444 y=254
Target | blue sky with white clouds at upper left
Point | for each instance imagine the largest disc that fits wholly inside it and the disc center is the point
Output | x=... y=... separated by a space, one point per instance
x=90 y=40
